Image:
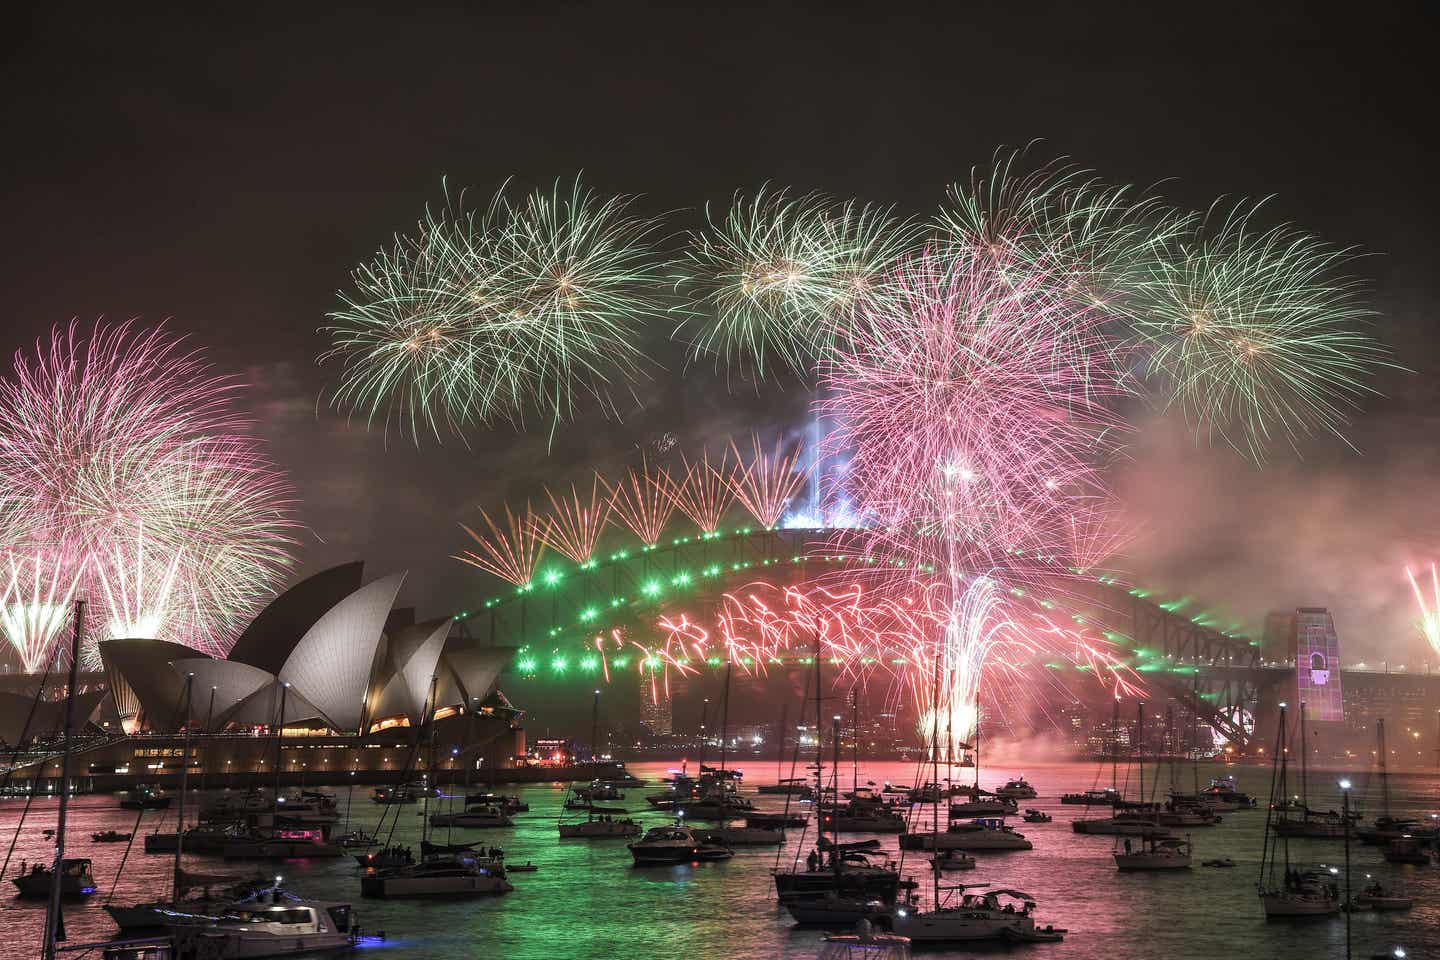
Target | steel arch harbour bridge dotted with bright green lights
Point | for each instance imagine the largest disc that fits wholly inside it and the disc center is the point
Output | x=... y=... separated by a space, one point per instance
x=1176 y=651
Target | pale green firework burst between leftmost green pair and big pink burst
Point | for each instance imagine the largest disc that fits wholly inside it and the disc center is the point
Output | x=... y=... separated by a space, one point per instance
x=777 y=279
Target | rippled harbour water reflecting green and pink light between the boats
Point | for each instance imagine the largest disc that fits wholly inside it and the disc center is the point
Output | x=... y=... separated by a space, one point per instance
x=587 y=900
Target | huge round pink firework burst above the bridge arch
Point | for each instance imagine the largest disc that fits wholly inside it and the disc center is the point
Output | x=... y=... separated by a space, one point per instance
x=971 y=408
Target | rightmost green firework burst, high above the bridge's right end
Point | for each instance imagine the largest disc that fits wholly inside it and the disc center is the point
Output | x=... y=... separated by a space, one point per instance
x=1254 y=333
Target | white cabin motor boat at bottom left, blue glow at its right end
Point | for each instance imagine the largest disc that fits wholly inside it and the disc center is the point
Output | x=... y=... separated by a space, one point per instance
x=267 y=929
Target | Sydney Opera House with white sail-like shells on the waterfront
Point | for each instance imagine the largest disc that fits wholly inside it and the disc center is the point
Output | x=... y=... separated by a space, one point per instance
x=330 y=664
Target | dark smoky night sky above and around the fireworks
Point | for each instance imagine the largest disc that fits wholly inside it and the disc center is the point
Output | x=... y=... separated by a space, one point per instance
x=227 y=173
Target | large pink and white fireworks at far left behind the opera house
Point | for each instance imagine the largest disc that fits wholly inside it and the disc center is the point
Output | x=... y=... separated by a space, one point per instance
x=135 y=483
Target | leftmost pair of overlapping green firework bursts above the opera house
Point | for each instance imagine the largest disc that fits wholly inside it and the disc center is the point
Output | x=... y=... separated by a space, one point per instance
x=532 y=307
